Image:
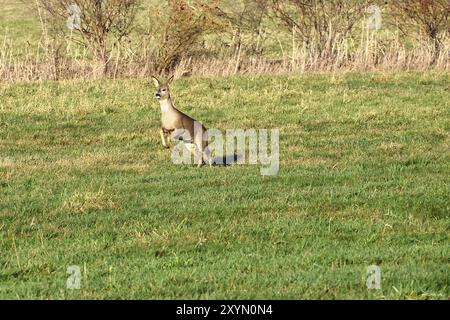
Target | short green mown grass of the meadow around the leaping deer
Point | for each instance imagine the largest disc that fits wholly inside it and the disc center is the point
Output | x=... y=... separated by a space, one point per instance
x=364 y=179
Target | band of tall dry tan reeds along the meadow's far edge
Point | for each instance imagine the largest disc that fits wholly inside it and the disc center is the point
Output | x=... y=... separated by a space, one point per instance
x=48 y=61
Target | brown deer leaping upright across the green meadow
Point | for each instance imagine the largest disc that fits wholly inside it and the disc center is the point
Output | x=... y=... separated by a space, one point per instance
x=180 y=126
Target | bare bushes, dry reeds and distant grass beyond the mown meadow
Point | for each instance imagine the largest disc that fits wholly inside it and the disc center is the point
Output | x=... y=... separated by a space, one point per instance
x=135 y=38
